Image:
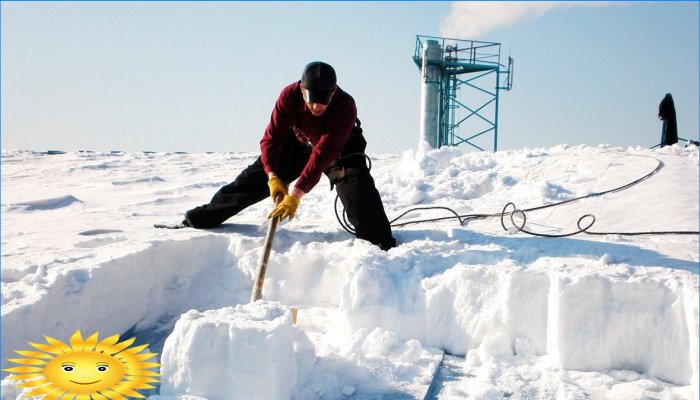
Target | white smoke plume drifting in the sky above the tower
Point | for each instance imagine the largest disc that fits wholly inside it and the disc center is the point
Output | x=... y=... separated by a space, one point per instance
x=472 y=19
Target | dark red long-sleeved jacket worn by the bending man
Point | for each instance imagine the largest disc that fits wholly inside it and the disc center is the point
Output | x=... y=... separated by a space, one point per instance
x=327 y=133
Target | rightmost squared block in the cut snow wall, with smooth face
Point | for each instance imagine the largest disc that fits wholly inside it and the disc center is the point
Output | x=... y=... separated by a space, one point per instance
x=597 y=323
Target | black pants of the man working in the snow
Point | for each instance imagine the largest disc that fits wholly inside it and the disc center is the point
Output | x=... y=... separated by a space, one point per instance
x=356 y=190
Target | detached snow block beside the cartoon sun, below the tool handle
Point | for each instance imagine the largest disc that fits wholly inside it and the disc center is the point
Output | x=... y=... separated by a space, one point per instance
x=242 y=352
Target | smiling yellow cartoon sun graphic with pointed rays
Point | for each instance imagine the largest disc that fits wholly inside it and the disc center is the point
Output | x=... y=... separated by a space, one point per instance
x=86 y=369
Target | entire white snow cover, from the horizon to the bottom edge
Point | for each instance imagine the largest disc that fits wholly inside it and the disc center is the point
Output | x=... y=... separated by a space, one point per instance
x=453 y=312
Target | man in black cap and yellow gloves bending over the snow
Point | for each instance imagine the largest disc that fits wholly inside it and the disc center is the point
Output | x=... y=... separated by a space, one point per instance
x=313 y=129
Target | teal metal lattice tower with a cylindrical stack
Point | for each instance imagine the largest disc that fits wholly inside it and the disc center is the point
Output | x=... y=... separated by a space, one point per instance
x=461 y=80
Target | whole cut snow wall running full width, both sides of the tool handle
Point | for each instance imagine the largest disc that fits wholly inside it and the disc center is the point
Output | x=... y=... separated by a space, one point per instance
x=601 y=317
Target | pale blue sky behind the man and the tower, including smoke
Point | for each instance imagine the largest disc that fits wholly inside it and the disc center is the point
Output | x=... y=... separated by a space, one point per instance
x=185 y=76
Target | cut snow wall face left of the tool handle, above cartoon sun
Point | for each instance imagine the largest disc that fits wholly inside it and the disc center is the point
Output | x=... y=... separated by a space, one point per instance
x=142 y=290
